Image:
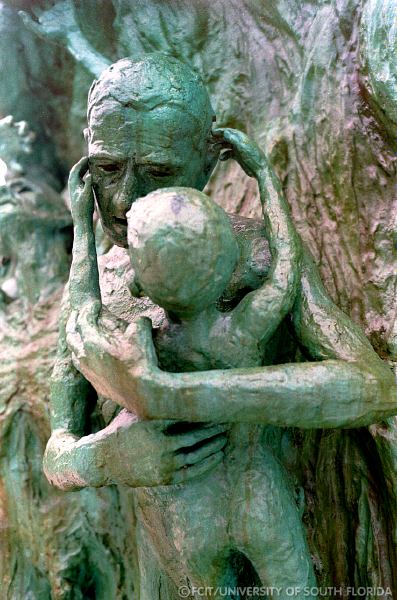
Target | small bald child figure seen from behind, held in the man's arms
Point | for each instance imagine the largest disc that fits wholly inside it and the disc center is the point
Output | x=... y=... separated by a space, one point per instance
x=238 y=524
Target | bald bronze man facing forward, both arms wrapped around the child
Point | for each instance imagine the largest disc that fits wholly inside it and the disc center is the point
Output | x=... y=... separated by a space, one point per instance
x=149 y=127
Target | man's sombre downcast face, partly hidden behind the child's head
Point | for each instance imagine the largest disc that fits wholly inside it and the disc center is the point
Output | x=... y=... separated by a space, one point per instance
x=132 y=153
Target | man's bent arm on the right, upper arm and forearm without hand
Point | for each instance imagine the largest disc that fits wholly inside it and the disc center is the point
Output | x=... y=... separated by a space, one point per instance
x=350 y=387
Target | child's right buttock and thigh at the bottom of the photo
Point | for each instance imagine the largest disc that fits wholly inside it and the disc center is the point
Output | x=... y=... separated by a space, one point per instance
x=267 y=527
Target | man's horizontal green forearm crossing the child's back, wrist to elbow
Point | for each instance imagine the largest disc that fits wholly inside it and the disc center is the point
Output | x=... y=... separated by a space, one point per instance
x=325 y=394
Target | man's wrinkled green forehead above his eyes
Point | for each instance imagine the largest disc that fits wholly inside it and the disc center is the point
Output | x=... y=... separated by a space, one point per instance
x=120 y=130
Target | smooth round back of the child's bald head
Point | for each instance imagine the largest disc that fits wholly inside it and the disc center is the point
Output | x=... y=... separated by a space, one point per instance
x=182 y=247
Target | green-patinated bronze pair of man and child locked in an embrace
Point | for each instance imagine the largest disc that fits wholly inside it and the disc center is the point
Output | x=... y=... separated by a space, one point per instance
x=218 y=507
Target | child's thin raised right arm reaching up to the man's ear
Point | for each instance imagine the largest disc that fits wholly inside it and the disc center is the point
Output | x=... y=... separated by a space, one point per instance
x=260 y=312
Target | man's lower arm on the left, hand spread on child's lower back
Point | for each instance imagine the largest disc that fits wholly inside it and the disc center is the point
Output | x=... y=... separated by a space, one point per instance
x=128 y=451
